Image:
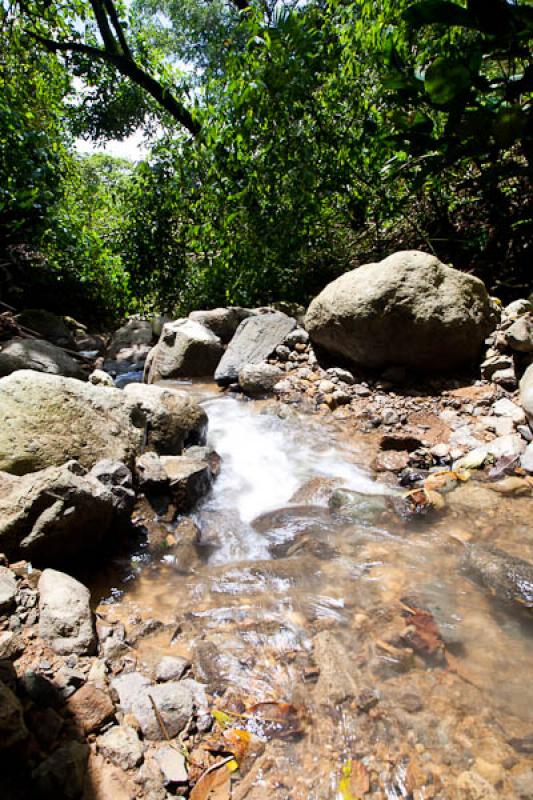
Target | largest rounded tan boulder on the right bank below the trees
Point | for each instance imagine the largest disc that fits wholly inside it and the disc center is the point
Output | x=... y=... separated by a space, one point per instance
x=409 y=310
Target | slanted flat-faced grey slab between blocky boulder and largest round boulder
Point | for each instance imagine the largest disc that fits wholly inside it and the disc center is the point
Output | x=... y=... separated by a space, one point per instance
x=255 y=340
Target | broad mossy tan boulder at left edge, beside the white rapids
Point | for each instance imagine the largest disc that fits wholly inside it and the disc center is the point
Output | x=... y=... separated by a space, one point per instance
x=48 y=419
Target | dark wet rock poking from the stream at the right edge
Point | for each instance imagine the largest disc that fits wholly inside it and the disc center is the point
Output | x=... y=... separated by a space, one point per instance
x=505 y=576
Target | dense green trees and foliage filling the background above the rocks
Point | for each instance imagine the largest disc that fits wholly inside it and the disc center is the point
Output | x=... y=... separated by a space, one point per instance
x=294 y=141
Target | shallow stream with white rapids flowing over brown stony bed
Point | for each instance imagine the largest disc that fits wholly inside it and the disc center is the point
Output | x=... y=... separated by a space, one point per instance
x=282 y=600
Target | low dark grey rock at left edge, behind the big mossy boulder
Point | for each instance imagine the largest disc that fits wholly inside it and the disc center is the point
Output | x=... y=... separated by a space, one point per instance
x=39 y=355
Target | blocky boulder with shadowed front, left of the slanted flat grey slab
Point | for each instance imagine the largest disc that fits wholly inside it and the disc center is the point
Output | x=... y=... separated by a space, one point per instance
x=185 y=349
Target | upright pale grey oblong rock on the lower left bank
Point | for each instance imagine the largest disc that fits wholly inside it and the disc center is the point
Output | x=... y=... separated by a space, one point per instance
x=66 y=621
